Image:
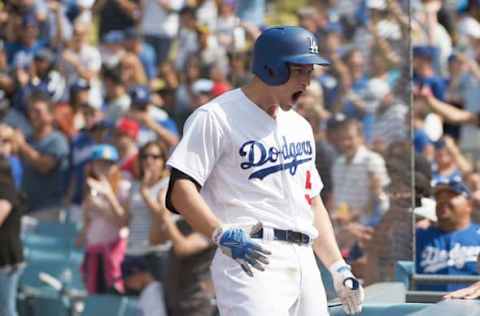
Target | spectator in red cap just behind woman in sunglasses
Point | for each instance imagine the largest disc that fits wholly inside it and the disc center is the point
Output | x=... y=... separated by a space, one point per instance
x=125 y=140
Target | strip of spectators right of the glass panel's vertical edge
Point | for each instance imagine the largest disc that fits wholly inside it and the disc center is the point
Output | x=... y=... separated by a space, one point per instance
x=445 y=42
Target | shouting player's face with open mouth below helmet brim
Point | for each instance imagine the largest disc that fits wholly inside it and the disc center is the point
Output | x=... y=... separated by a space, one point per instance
x=288 y=94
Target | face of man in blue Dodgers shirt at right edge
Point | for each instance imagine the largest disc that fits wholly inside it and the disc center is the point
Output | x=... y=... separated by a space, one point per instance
x=452 y=209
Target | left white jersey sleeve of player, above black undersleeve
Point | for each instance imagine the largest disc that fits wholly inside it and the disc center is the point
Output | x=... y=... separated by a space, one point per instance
x=200 y=147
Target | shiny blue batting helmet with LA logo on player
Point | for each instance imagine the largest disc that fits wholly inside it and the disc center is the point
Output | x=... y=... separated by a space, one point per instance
x=279 y=46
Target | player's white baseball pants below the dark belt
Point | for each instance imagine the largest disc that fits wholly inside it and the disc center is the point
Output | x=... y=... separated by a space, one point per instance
x=291 y=284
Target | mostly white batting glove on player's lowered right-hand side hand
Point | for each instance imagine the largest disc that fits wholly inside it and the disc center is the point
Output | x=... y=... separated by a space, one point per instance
x=348 y=288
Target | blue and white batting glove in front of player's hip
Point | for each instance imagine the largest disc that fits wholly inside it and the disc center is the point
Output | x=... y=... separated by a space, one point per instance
x=237 y=244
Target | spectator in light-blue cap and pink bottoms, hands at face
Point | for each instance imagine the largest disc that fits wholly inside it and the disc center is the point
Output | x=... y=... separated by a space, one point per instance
x=105 y=219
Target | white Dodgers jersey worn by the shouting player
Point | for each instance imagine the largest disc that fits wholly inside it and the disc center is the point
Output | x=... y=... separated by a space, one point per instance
x=251 y=167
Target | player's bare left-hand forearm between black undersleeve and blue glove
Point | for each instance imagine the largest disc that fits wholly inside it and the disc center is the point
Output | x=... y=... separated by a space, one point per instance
x=188 y=201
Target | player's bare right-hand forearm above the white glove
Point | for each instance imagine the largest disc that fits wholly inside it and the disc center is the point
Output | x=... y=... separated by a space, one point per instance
x=325 y=246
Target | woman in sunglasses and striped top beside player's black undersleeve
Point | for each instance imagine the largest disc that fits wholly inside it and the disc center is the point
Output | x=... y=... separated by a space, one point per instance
x=147 y=203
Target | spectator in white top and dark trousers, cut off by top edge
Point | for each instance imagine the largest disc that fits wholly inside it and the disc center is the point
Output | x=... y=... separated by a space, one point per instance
x=160 y=24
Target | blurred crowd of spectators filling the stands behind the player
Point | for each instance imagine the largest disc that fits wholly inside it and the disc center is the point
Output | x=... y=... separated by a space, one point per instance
x=94 y=95
